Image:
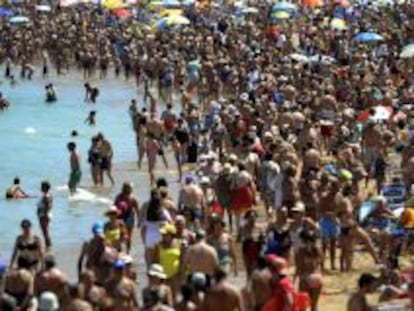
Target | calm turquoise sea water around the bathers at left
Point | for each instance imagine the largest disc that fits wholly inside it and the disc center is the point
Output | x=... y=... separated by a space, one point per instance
x=33 y=138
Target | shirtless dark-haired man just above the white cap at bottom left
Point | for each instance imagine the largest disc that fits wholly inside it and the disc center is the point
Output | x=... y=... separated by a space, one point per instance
x=50 y=279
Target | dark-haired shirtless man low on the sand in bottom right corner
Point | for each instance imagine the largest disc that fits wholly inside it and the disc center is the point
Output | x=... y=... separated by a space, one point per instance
x=367 y=284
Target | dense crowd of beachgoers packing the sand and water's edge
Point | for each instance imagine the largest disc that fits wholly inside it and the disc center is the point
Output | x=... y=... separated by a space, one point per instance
x=282 y=127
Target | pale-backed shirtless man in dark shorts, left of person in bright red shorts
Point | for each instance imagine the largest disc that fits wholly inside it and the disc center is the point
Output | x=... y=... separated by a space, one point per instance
x=191 y=200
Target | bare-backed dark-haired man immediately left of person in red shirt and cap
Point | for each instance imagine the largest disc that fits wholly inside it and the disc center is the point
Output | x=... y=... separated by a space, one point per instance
x=260 y=281
